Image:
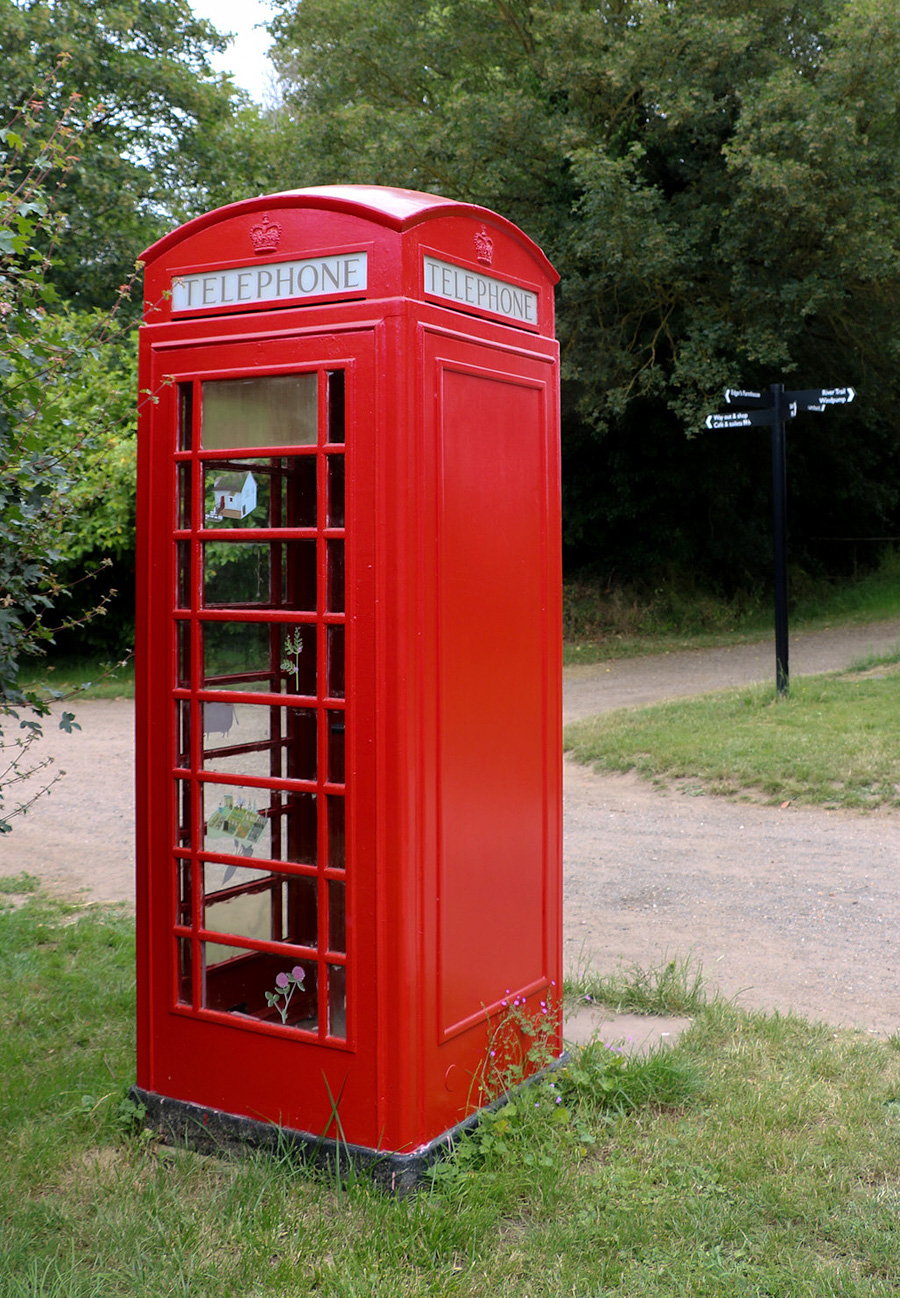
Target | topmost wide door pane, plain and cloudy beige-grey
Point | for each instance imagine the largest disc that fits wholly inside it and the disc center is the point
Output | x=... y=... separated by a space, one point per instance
x=280 y=411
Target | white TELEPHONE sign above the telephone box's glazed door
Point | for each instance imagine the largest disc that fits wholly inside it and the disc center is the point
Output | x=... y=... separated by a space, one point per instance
x=285 y=281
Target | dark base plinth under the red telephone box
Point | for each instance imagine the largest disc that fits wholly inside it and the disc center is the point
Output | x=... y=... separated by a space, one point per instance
x=210 y=1131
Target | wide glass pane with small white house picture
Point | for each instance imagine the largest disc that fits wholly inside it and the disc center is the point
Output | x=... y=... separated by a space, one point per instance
x=279 y=493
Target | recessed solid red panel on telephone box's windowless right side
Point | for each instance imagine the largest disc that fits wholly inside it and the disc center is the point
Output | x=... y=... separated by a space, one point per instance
x=492 y=672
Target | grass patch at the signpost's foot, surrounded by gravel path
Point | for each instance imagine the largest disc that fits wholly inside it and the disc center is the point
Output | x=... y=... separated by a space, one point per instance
x=831 y=743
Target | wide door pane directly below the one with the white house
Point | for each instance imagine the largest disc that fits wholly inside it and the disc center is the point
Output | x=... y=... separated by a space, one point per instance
x=260 y=573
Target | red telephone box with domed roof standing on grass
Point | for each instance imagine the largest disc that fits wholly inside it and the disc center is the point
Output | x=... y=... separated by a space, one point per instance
x=349 y=664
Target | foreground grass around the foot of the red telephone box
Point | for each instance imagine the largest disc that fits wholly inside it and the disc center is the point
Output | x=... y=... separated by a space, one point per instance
x=760 y=1156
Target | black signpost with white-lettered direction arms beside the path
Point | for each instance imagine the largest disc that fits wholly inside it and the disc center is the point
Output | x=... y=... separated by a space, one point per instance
x=775 y=408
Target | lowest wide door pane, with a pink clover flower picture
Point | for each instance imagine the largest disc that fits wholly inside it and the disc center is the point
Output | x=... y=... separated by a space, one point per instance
x=237 y=981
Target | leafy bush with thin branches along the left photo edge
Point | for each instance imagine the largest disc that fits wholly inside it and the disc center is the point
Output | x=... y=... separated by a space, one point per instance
x=38 y=360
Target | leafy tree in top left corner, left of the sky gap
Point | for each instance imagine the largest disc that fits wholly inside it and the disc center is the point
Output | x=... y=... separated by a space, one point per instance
x=142 y=72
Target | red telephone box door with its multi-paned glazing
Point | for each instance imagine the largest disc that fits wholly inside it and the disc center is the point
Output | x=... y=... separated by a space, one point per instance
x=259 y=863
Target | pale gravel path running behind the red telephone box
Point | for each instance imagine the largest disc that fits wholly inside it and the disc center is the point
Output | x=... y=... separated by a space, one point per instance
x=789 y=909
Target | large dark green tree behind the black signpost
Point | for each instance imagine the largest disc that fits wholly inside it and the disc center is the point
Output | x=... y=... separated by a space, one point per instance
x=719 y=184
